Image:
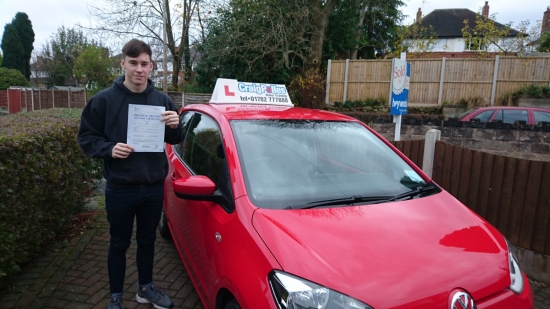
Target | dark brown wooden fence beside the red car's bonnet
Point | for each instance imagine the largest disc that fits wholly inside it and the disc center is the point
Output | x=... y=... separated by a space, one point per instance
x=512 y=194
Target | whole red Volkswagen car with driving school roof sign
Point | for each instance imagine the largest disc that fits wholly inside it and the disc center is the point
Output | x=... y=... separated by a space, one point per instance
x=276 y=207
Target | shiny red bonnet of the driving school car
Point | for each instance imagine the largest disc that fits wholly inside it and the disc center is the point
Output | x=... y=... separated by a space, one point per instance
x=392 y=254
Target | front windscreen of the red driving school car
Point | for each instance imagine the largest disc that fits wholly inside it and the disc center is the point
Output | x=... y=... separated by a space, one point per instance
x=287 y=163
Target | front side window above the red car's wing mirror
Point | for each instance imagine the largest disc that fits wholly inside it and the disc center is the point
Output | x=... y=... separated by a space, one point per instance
x=202 y=148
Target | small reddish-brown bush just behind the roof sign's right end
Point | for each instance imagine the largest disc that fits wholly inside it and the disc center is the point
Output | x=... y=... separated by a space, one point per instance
x=308 y=89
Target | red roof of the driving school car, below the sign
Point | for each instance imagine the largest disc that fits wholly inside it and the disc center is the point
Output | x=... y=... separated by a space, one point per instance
x=265 y=111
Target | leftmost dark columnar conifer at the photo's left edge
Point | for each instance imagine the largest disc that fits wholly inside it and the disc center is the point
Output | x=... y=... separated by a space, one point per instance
x=14 y=52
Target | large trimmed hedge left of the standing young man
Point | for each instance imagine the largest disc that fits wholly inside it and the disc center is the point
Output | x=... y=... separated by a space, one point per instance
x=45 y=180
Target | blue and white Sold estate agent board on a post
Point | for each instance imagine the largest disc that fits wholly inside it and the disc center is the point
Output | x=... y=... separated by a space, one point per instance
x=400 y=87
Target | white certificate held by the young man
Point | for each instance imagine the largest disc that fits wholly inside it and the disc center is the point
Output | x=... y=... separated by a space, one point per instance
x=145 y=130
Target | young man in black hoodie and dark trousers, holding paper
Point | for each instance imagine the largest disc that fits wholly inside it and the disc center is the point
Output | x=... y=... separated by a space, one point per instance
x=135 y=180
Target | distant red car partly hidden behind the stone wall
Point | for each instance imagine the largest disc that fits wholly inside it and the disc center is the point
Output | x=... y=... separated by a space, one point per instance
x=507 y=114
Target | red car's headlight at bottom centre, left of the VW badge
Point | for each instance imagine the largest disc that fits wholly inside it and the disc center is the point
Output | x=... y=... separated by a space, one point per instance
x=291 y=292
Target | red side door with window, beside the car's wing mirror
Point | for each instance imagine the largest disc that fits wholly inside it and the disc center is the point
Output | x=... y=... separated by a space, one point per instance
x=194 y=222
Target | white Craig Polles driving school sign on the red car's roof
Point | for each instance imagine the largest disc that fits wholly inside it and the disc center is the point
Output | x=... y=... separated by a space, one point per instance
x=233 y=91
